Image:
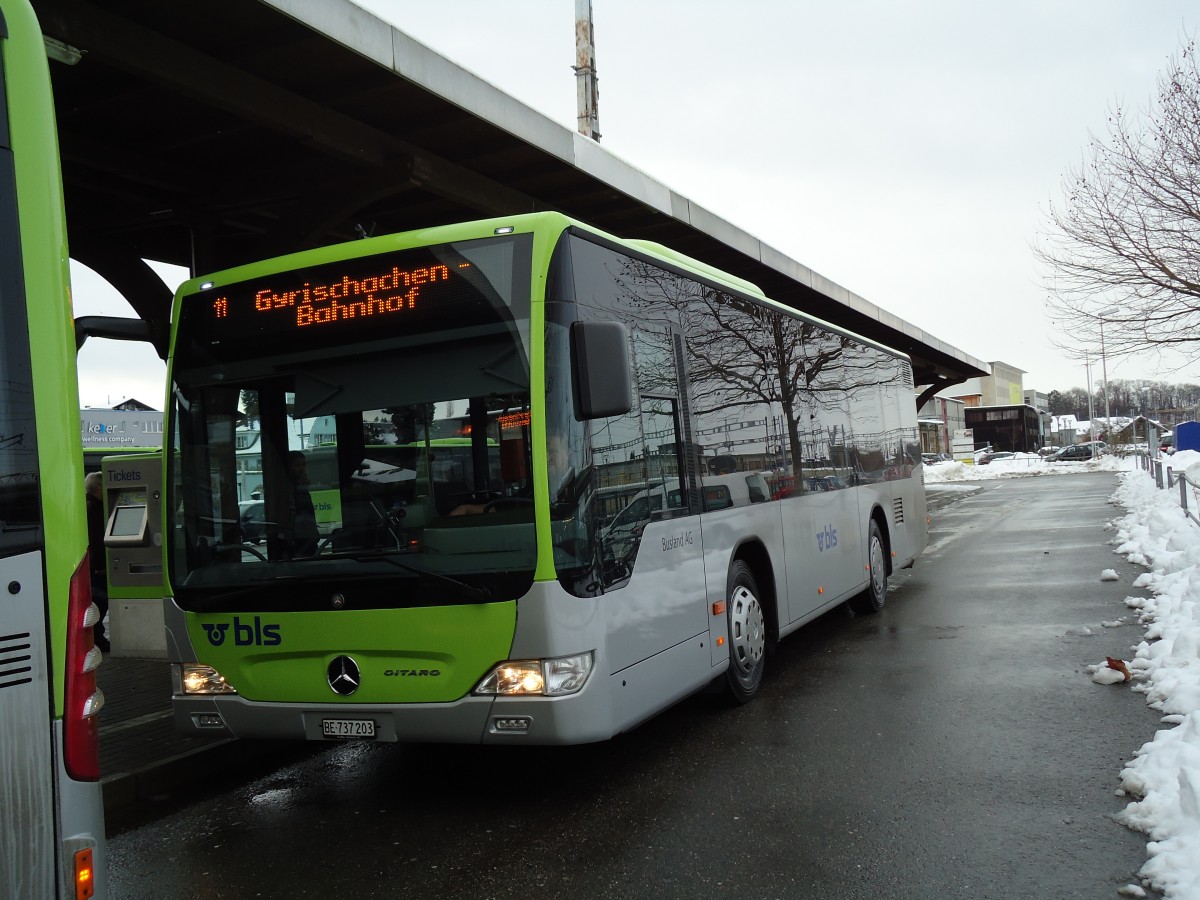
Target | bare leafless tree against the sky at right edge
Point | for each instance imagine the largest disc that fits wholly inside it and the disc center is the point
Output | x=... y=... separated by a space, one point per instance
x=1124 y=248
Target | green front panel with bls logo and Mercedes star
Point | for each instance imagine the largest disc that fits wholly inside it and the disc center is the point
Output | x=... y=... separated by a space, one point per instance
x=411 y=656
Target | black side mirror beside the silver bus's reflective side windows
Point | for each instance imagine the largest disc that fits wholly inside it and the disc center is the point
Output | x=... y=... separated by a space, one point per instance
x=601 y=376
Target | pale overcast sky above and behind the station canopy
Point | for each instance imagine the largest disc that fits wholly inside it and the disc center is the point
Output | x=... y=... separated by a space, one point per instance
x=907 y=152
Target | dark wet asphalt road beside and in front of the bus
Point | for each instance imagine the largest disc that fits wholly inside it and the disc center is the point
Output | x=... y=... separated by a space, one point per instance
x=951 y=747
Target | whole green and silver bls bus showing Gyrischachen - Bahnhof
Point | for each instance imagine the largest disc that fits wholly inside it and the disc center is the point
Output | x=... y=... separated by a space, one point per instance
x=503 y=599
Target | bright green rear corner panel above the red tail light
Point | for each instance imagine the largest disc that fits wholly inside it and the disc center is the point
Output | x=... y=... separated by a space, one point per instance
x=44 y=247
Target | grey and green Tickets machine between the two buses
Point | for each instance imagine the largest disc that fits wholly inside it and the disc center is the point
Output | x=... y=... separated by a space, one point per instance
x=134 y=548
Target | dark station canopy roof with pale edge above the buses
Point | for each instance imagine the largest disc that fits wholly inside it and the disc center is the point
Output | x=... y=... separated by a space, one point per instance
x=212 y=134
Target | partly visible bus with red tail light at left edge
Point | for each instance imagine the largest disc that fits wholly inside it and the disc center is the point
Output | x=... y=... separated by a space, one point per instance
x=52 y=826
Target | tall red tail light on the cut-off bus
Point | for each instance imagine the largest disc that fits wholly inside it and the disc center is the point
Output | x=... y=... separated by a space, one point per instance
x=85 y=700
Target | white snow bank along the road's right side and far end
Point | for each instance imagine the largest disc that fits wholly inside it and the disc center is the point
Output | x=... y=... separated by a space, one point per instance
x=1163 y=778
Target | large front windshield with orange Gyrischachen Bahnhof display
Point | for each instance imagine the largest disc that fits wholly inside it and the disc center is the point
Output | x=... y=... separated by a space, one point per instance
x=319 y=464
